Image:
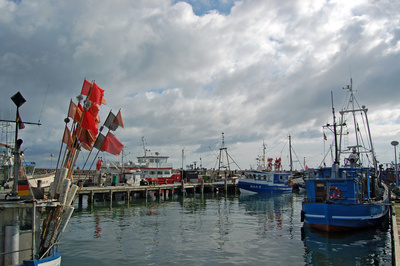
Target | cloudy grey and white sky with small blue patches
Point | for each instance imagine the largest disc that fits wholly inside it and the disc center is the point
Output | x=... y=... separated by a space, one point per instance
x=184 y=72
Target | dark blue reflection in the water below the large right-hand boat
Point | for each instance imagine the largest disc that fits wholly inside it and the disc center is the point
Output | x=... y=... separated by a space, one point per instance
x=364 y=247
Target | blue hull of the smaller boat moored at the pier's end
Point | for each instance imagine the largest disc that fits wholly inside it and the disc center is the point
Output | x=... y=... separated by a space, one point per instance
x=258 y=186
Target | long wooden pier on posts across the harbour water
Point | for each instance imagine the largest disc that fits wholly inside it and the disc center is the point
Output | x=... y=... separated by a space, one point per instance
x=126 y=193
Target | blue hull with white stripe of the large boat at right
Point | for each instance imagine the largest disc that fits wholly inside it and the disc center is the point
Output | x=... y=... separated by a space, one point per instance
x=332 y=217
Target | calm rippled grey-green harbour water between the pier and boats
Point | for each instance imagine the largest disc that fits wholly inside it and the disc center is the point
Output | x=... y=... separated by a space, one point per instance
x=251 y=230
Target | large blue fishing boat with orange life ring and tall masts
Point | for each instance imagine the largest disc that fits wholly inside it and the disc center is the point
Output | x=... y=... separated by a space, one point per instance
x=350 y=195
